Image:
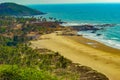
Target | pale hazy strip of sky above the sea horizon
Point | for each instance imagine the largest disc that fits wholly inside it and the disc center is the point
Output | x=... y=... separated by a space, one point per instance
x=58 y=1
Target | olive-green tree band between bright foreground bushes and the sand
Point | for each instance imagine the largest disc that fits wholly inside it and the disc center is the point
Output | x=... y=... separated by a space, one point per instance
x=39 y=59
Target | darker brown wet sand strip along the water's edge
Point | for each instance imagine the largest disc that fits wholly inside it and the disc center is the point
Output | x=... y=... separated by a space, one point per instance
x=95 y=44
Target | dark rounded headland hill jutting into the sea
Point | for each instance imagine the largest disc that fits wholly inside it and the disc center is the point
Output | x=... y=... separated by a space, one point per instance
x=13 y=9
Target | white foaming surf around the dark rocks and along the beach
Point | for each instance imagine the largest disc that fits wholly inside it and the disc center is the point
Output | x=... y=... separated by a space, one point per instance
x=93 y=36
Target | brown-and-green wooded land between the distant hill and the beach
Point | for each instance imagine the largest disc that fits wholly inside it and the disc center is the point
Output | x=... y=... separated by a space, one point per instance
x=21 y=30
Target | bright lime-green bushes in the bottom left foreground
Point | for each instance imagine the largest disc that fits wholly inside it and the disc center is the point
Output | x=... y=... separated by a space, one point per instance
x=8 y=72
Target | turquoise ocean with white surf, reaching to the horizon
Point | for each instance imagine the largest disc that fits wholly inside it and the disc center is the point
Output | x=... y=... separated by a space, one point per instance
x=75 y=14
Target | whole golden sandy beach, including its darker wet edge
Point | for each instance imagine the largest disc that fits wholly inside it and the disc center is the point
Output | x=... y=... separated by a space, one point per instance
x=87 y=52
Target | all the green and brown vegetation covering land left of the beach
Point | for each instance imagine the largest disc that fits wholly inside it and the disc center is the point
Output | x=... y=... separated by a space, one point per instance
x=18 y=61
